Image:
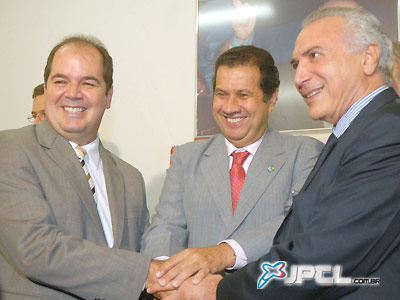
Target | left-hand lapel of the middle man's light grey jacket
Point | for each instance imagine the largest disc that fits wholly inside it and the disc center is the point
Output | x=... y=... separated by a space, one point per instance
x=215 y=171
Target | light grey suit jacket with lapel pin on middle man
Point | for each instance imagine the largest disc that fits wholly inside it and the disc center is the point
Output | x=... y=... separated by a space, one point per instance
x=195 y=207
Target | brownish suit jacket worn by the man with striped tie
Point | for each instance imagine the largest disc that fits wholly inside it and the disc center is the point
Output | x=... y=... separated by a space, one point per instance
x=52 y=244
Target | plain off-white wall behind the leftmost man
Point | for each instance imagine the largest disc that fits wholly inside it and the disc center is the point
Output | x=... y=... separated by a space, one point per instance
x=153 y=44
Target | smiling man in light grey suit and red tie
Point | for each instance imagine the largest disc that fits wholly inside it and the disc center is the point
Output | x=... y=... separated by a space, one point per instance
x=229 y=194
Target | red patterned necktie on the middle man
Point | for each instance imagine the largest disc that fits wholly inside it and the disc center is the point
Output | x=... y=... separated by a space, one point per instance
x=237 y=176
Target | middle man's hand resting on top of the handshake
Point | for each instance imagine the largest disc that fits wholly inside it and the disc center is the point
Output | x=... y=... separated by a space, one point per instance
x=198 y=261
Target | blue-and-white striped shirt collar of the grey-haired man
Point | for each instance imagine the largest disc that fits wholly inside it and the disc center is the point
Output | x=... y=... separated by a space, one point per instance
x=354 y=111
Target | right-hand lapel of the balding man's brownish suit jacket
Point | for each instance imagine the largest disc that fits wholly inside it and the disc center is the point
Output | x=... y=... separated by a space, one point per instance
x=115 y=193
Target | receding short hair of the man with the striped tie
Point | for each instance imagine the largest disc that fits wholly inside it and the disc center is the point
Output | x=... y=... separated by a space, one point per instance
x=89 y=41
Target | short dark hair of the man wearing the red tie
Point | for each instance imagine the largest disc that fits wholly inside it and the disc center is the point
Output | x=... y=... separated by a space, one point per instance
x=252 y=56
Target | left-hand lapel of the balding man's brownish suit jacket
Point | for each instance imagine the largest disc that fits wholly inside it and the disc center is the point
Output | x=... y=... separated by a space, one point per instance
x=61 y=152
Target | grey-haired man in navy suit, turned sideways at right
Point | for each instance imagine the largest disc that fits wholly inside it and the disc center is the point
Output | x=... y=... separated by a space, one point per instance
x=348 y=211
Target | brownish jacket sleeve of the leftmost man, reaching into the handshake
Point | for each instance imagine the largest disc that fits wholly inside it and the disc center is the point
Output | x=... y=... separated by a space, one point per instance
x=32 y=243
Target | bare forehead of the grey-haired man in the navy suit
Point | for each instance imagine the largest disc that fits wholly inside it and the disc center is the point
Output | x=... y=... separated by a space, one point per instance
x=325 y=33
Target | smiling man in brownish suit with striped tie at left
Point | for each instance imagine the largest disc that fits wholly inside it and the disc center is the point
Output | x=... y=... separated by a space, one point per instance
x=70 y=227
